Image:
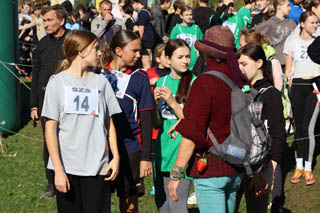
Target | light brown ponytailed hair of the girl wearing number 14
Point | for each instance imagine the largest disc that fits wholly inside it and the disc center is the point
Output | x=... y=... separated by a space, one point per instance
x=75 y=42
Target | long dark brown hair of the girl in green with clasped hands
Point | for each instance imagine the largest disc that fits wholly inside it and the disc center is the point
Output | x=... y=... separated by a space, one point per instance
x=184 y=83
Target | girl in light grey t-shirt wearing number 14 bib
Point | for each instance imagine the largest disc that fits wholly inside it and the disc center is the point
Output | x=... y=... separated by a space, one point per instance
x=78 y=107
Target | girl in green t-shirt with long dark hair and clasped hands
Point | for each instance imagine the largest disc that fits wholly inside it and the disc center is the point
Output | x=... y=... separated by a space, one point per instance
x=170 y=94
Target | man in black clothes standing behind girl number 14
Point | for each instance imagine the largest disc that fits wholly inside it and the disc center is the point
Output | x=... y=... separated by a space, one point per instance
x=47 y=57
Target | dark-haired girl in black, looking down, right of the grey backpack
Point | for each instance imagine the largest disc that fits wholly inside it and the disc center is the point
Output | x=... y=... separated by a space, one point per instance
x=253 y=64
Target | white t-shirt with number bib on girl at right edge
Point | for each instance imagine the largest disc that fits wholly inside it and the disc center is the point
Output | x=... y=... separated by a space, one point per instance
x=302 y=65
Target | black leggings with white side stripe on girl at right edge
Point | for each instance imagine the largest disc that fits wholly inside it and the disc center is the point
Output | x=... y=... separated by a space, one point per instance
x=305 y=114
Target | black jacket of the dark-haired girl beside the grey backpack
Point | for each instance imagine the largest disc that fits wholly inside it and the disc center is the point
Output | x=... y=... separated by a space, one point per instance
x=273 y=112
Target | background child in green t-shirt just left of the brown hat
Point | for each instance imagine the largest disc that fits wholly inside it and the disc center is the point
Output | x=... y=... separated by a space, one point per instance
x=188 y=31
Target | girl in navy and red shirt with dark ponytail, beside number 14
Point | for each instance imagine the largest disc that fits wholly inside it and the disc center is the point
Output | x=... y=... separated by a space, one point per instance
x=133 y=125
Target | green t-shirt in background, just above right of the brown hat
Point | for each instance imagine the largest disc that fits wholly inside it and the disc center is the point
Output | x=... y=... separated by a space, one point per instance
x=237 y=22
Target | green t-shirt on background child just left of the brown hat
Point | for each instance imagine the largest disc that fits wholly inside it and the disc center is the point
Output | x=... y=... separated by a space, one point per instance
x=190 y=34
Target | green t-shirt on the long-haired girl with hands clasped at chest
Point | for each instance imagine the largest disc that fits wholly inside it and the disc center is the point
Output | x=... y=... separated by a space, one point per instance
x=166 y=148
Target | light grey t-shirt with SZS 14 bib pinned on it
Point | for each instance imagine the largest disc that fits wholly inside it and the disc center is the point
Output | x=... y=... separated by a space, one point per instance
x=81 y=106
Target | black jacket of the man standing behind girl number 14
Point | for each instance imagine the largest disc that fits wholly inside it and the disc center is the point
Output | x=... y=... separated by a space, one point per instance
x=48 y=54
